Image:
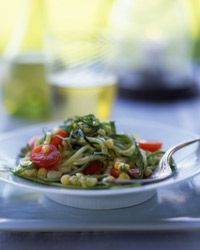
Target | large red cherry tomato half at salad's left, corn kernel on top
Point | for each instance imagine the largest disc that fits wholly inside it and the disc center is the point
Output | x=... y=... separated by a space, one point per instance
x=45 y=156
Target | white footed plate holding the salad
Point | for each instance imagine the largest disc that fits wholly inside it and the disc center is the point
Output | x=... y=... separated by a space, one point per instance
x=11 y=143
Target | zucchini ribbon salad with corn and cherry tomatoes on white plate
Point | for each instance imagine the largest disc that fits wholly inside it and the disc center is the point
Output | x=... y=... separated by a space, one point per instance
x=86 y=153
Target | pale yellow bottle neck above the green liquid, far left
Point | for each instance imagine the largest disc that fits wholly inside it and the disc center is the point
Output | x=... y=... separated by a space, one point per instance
x=28 y=33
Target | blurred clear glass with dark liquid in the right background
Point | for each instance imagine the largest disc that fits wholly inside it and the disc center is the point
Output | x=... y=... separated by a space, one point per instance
x=154 y=53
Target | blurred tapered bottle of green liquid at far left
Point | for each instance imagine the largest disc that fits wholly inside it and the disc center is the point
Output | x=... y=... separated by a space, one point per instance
x=26 y=93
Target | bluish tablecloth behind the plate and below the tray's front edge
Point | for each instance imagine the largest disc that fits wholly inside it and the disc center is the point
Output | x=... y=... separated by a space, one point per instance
x=184 y=114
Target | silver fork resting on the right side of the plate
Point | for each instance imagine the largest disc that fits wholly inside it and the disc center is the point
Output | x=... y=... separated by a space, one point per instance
x=166 y=163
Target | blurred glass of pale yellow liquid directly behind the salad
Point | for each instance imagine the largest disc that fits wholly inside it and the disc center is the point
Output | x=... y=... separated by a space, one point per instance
x=78 y=49
